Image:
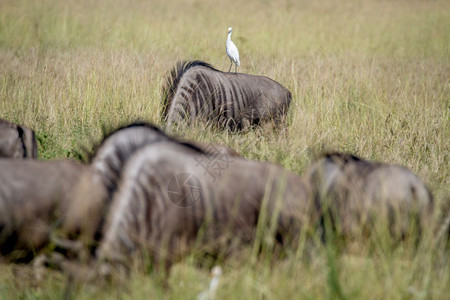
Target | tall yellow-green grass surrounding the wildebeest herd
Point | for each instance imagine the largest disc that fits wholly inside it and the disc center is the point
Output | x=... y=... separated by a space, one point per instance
x=369 y=77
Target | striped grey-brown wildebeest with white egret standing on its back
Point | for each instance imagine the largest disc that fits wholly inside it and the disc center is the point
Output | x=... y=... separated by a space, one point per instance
x=196 y=90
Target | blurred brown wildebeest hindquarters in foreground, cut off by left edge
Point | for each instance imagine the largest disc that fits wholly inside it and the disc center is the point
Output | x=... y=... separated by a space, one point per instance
x=33 y=196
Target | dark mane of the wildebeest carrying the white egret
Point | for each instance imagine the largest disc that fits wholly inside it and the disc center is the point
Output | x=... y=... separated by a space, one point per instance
x=173 y=79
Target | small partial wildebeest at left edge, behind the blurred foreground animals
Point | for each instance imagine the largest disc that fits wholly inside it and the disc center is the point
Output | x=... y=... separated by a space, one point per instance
x=16 y=141
